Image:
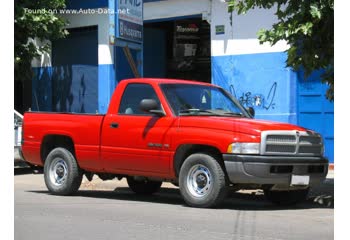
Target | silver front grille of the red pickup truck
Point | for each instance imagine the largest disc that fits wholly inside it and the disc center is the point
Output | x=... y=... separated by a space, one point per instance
x=291 y=143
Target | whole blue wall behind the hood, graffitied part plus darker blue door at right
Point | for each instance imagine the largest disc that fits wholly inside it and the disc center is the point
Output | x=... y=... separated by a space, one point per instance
x=277 y=93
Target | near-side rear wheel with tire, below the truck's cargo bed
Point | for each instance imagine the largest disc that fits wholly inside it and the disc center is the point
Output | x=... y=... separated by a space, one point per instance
x=61 y=172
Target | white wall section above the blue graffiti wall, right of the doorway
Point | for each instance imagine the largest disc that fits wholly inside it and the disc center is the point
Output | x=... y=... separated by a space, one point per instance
x=241 y=36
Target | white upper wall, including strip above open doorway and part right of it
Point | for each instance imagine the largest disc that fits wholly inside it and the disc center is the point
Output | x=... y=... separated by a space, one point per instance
x=239 y=38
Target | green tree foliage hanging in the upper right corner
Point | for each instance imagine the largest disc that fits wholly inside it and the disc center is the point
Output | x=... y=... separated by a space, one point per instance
x=308 y=28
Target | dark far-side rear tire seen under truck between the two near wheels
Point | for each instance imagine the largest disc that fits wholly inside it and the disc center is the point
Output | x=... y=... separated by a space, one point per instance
x=144 y=187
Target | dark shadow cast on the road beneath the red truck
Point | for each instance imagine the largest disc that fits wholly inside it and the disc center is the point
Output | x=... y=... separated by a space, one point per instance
x=321 y=196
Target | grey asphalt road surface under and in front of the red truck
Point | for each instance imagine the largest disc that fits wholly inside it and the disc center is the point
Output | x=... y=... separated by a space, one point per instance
x=110 y=210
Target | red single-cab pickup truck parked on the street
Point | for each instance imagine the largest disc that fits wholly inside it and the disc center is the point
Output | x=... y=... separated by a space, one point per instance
x=195 y=135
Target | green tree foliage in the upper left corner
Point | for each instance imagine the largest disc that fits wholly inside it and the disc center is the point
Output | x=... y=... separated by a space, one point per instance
x=35 y=19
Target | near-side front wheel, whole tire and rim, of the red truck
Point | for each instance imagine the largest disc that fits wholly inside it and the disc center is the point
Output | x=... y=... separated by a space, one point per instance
x=202 y=181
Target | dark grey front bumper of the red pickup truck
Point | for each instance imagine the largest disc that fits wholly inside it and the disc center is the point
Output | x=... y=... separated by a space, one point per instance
x=274 y=170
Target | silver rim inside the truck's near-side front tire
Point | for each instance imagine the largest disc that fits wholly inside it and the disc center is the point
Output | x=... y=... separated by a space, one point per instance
x=199 y=181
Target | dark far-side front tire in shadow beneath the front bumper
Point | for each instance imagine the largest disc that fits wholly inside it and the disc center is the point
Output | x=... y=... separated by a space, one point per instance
x=286 y=197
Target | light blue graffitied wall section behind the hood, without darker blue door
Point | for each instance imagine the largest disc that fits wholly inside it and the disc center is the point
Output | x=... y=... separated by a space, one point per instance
x=260 y=81
